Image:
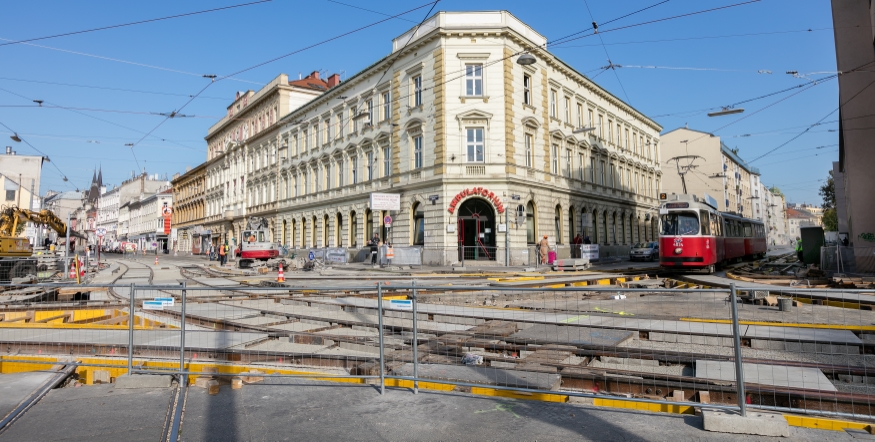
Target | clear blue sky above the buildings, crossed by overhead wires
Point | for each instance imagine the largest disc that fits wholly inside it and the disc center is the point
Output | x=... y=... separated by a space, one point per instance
x=103 y=90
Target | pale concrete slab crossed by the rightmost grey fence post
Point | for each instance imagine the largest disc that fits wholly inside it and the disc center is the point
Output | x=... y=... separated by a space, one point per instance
x=777 y=375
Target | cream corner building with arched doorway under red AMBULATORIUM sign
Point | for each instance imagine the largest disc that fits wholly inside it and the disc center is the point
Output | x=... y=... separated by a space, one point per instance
x=480 y=149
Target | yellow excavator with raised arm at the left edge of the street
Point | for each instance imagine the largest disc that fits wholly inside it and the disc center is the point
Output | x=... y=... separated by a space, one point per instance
x=13 y=246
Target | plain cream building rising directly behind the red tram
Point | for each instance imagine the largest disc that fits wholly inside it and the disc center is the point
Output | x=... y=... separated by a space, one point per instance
x=720 y=172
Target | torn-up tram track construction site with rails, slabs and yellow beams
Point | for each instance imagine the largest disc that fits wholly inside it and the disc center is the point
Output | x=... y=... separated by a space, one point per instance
x=622 y=335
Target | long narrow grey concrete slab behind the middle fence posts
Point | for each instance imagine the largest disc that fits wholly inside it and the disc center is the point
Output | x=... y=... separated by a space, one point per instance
x=483 y=375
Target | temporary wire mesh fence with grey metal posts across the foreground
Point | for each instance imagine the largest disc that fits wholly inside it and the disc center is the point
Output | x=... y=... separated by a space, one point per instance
x=801 y=350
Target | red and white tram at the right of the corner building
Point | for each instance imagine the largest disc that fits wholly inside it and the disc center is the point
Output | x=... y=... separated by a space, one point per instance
x=694 y=235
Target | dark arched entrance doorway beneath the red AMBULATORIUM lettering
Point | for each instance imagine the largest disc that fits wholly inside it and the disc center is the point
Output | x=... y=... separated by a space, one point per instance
x=476 y=231
